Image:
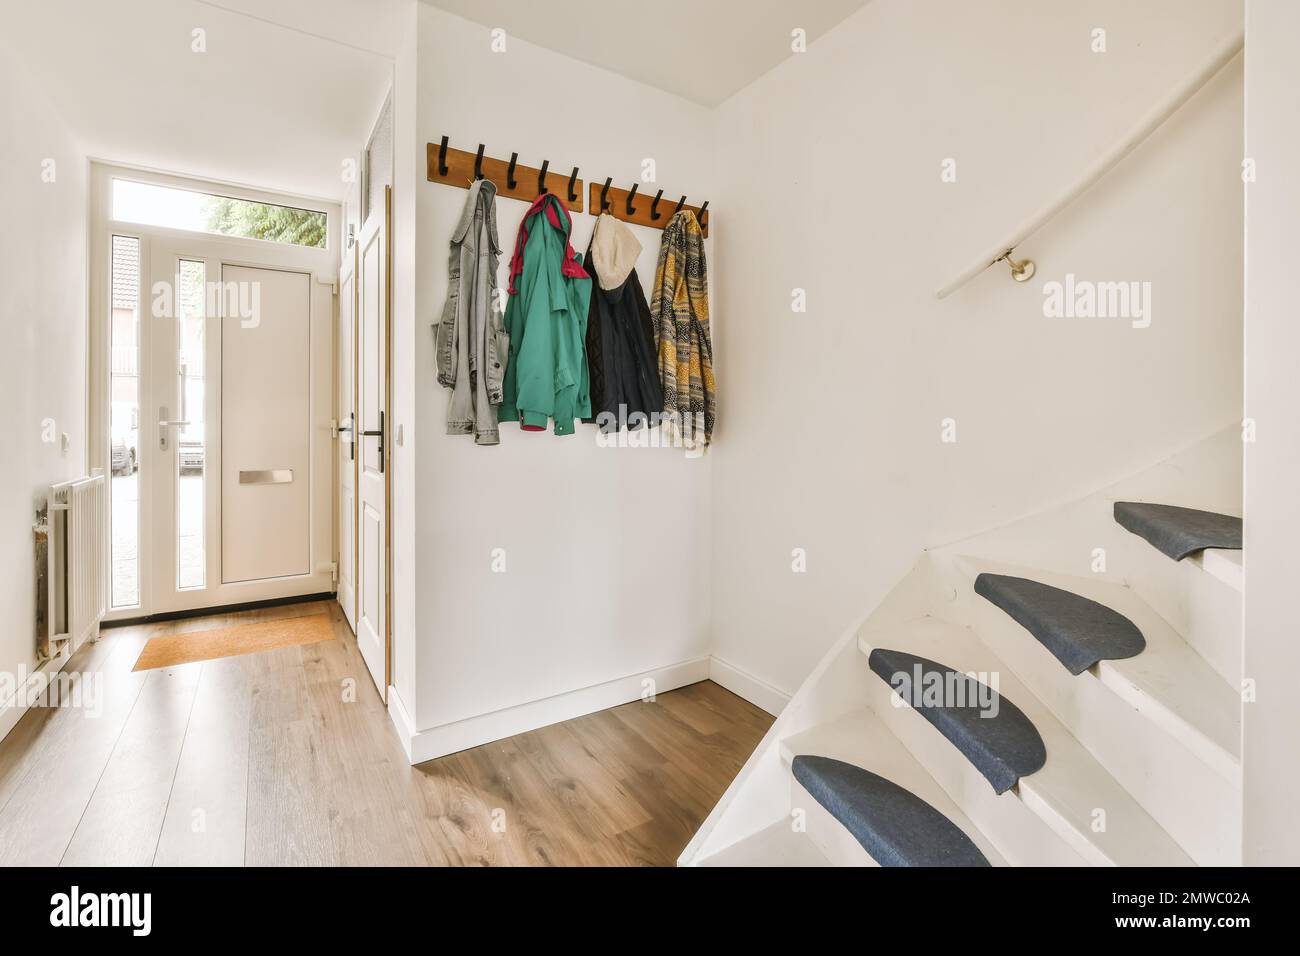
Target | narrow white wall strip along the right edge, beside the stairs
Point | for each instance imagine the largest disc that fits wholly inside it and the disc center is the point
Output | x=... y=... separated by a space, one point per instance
x=1272 y=785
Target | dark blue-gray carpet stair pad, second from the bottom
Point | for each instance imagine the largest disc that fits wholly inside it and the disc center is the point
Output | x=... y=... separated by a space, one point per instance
x=991 y=732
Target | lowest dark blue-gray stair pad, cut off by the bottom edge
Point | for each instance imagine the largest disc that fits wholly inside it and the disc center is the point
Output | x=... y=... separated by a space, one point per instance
x=894 y=825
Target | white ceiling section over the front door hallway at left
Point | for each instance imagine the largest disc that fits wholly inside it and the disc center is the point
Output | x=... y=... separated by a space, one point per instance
x=267 y=106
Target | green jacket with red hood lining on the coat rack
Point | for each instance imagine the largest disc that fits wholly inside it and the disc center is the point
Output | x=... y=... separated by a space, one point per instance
x=547 y=377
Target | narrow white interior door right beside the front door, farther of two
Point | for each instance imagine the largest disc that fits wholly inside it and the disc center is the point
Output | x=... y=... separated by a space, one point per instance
x=346 y=451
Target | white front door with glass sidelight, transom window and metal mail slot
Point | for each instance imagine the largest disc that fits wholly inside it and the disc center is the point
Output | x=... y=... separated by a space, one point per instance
x=214 y=377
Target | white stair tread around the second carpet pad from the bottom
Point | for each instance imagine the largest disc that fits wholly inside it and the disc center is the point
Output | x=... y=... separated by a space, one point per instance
x=1072 y=786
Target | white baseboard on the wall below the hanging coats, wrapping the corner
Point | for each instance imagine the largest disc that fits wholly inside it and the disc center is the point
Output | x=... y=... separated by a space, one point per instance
x=473 y=732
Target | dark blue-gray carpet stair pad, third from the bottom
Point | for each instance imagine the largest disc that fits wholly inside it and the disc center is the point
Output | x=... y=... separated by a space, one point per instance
x=1077 y=630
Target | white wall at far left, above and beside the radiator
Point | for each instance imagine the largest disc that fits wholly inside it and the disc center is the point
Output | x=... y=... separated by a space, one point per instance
x=44 y=317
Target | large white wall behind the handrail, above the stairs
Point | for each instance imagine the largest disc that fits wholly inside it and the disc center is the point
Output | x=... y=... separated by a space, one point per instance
x=829 y=435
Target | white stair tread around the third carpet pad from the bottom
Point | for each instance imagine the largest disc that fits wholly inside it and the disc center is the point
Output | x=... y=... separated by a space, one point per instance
x=1169 y=682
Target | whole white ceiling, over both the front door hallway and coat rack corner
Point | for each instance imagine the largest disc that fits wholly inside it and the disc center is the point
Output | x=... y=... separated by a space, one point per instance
x=288 y=89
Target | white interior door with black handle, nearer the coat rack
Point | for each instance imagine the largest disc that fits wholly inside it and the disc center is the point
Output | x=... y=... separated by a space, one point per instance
x=374 y=445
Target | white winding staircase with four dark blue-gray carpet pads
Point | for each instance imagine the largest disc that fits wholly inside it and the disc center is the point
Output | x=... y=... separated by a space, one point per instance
x=1063 y=691
